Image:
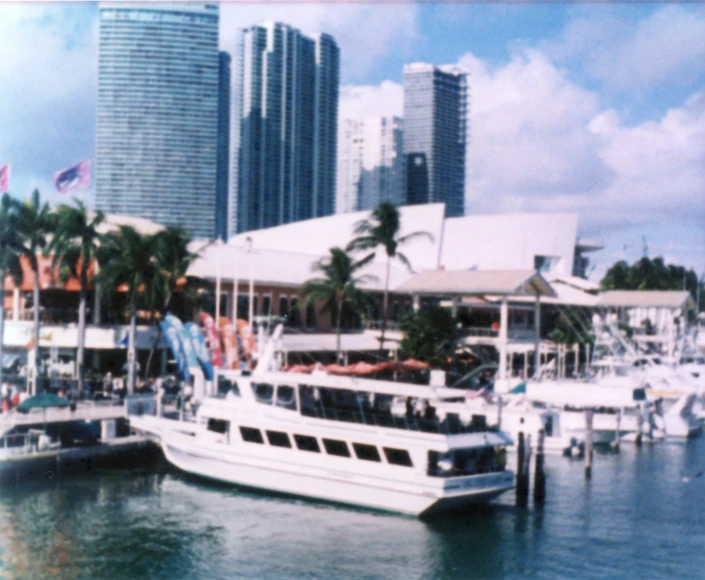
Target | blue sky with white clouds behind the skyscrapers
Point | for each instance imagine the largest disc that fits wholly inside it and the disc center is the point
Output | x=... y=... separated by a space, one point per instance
x=595 y=108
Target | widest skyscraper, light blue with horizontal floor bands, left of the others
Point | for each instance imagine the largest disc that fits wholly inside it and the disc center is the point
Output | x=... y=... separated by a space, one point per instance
x=157 y=119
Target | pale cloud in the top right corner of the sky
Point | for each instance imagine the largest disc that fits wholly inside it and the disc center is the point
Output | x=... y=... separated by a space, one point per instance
x=668 y=47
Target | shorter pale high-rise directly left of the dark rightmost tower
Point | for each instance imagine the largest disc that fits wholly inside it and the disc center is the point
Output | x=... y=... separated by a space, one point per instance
x=370 y=163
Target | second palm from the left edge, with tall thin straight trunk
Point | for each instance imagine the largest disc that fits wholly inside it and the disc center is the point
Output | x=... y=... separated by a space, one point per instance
x=35 y=222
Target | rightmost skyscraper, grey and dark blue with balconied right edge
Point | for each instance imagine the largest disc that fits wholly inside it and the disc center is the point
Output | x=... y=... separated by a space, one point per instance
x=435 y=102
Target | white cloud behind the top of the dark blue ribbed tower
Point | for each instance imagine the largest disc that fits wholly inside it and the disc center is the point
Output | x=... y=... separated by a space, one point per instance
x=365 y=33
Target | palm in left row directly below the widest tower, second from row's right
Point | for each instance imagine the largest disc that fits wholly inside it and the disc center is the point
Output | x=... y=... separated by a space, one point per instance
x=127 y=259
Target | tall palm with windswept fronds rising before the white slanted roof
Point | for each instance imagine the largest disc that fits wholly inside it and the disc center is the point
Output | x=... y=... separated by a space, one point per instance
x=382 y=229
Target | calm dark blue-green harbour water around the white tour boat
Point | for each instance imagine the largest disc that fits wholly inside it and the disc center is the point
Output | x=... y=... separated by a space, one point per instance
x=635 y=518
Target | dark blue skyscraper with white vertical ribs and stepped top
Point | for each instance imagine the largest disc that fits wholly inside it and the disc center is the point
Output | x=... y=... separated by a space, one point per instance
x=289 y=109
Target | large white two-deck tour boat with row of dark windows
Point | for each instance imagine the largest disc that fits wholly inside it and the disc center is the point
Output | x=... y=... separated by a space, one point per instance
x=335 y=439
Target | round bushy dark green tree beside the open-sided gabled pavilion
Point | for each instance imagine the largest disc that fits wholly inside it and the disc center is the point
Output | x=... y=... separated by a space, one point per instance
x=430 y=335
